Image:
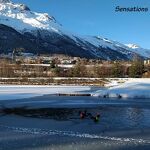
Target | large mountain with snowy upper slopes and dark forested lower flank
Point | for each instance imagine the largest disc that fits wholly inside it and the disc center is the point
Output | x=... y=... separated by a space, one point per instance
x=41 y=33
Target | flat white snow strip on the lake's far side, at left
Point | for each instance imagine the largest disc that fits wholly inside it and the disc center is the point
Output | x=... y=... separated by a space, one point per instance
x=8 y=92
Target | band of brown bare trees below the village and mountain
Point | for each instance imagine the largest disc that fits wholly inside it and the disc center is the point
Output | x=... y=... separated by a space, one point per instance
x=117 y=69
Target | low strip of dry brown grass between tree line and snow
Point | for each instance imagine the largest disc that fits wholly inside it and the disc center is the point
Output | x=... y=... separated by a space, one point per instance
x=53 y=81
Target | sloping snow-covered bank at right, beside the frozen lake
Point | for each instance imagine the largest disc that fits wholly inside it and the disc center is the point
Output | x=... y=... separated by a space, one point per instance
x=132 y=88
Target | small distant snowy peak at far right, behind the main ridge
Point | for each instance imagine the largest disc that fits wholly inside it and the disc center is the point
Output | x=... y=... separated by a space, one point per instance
x=137 y=49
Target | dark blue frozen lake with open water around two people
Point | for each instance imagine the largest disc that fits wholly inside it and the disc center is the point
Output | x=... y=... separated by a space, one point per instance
x=53 y=122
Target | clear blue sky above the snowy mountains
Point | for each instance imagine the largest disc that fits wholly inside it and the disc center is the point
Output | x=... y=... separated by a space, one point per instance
x=98 y=17
